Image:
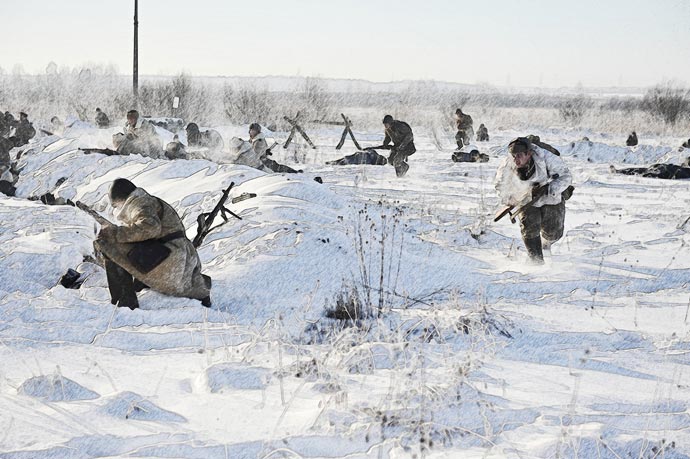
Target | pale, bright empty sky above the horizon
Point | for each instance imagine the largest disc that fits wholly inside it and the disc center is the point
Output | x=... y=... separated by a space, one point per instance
x=545 y=43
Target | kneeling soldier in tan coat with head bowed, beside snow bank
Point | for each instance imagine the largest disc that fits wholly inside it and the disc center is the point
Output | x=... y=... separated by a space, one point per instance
x=149 y=249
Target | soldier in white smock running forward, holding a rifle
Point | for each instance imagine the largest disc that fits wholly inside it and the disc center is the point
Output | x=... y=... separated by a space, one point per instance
x=529 y=173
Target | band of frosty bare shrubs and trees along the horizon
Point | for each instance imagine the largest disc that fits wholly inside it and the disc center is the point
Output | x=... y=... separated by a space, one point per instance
x=214 y=102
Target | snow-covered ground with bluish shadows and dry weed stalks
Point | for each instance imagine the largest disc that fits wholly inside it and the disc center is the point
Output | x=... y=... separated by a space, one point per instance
x=469 y=353
